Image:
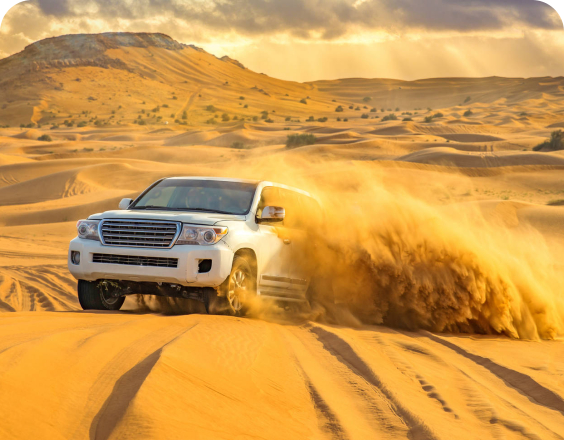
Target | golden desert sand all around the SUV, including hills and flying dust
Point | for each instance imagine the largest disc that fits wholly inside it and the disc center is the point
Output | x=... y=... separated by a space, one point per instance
x=444 y=238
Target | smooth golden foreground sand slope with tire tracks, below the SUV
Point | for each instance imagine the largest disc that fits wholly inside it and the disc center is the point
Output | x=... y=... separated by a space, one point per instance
x=122 y=375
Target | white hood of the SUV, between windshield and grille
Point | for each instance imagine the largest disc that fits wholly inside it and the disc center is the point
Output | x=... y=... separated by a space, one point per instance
x=196 y=218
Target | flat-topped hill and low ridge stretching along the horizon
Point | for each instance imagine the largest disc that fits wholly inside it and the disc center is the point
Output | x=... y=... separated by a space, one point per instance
x=121 y=77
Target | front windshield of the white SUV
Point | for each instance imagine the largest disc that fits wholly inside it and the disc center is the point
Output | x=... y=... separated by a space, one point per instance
x=219 y=196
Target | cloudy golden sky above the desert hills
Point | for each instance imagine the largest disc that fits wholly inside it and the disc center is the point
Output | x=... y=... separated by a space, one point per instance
x=305 y=40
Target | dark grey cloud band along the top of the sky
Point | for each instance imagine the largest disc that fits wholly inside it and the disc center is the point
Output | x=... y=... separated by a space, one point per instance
x=321 y=19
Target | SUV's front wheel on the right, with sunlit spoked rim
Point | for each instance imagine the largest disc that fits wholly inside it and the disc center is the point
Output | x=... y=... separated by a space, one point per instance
x=239 y=288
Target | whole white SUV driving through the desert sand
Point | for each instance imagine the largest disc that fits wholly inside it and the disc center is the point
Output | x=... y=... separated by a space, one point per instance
x=219 y=241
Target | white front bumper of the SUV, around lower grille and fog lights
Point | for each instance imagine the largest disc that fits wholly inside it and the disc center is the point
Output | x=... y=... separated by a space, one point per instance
x=186 y=273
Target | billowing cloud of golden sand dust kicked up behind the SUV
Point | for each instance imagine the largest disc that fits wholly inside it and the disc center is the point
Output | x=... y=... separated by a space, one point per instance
x=388 y=257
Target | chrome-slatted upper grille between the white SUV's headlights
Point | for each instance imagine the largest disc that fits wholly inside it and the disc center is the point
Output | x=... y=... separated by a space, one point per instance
x=139 y=233
